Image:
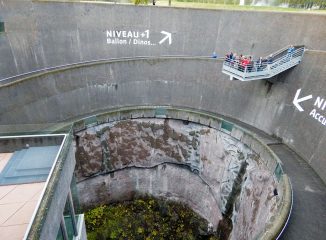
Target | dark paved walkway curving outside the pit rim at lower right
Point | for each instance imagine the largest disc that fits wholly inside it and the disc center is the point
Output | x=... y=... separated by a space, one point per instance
x=308 y=219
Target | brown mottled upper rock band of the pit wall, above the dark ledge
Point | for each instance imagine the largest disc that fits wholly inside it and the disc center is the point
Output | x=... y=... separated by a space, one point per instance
x=136 y=143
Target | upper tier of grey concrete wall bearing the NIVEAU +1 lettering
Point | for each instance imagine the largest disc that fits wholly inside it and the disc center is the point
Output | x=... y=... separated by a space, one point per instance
x=45 y=34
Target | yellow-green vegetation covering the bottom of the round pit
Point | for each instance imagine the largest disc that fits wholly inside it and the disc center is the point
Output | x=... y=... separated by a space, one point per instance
x=146 y=219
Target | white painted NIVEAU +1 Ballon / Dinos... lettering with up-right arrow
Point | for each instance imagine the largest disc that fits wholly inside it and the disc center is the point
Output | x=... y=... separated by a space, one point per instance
x=132 y=37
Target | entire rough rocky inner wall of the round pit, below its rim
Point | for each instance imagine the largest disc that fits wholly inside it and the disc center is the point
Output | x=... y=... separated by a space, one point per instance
x=181 y=161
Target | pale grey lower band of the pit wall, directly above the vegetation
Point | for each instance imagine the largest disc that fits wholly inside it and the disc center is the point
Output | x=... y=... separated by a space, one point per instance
x=158 y=182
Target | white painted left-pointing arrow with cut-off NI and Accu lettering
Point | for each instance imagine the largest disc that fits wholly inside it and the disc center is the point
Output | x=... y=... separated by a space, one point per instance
x=319 y=106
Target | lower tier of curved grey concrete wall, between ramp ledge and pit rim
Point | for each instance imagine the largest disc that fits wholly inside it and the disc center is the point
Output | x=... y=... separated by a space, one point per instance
x=188 y=82
